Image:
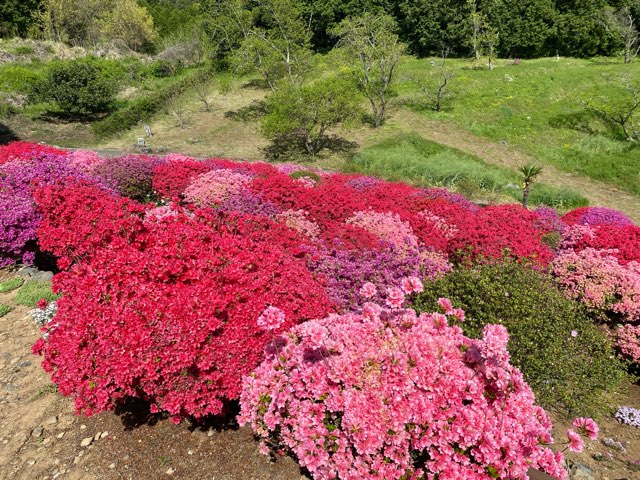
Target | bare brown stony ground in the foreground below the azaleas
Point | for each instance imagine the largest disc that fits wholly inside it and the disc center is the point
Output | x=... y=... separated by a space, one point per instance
x=41 y=438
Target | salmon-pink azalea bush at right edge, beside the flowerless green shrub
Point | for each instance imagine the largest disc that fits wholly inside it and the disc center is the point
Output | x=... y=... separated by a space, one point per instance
x=596 y=278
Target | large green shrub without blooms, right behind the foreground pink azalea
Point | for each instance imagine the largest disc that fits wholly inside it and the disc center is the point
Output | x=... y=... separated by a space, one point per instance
x=566 y=359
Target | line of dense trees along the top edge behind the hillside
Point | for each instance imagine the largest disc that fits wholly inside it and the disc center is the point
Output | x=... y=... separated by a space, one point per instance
x=525 y=28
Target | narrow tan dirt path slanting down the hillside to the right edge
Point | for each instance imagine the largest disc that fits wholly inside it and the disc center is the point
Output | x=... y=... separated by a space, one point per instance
x=598 y=193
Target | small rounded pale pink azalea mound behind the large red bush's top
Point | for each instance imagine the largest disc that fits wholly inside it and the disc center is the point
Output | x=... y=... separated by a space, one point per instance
x=212 y=188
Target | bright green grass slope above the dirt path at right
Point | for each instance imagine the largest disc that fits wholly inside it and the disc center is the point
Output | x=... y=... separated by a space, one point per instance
x=536 y=107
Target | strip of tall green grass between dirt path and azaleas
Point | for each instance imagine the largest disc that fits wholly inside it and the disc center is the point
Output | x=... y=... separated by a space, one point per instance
x=408 y=157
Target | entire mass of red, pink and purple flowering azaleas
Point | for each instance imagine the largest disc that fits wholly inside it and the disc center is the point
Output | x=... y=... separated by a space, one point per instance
x=194 y=268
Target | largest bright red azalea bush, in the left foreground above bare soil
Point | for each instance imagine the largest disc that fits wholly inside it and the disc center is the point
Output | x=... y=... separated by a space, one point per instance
x=176 y=311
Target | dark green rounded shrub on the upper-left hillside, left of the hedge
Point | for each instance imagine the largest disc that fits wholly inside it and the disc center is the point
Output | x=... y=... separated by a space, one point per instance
x=79 y=88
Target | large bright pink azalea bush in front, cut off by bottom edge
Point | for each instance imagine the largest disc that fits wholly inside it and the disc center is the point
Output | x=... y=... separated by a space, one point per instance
x=386 y=394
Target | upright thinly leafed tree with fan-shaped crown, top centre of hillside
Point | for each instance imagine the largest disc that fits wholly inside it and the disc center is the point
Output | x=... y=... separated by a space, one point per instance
x=370 y=44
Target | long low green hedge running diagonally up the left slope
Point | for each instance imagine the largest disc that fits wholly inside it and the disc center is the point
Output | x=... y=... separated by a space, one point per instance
x=143 y=108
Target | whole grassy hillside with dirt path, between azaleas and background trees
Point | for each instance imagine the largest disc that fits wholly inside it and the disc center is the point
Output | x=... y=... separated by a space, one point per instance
x=519 y=112
